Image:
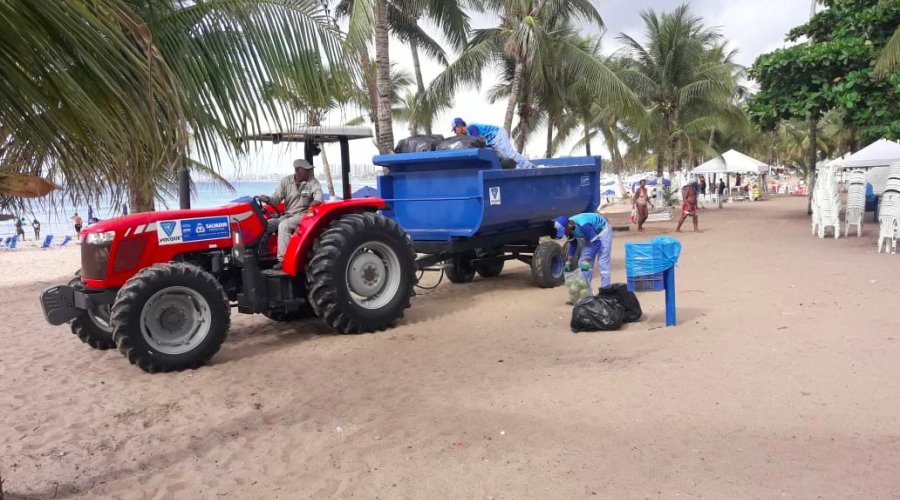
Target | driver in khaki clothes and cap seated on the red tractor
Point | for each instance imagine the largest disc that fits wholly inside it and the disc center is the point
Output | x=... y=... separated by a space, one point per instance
x=299 y=192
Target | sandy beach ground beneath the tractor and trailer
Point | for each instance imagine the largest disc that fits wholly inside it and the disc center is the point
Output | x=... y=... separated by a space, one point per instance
x=780 y=380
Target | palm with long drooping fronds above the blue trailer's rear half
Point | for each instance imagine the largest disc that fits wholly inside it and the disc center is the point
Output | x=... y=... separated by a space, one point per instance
x=524 y=37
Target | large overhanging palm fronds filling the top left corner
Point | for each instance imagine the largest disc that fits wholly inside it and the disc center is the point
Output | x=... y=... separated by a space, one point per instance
x=120 y=89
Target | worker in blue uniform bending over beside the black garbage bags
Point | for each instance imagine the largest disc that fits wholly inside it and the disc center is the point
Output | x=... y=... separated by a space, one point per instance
x=594 y=234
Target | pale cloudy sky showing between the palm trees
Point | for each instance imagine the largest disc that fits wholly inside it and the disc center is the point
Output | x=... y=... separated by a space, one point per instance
x=753 y=27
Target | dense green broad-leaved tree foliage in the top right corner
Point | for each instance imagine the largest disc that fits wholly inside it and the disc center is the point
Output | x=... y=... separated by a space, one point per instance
x=834 y=68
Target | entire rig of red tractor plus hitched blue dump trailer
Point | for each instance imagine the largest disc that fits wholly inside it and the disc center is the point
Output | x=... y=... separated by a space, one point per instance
x=160 y=286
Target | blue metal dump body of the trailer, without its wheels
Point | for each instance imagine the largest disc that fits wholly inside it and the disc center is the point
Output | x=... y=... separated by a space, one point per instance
x=447 y=195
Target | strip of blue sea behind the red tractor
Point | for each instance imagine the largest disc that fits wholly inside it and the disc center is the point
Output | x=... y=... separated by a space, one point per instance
x=58 y=222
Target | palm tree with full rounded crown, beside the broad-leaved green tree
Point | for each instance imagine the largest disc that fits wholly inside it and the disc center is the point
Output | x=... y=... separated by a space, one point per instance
x=672 y=71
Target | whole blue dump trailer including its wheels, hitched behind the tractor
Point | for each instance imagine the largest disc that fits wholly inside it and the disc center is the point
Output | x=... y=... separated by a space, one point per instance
x=461 y=208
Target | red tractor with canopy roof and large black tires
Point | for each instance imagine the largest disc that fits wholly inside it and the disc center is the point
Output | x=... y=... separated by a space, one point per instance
x=160 y=285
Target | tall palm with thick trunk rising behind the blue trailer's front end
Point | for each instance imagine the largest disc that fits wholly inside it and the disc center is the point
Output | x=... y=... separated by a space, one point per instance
x=383 y=17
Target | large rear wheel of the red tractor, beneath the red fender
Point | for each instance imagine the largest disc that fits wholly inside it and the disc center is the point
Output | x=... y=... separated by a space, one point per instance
x=361 y=273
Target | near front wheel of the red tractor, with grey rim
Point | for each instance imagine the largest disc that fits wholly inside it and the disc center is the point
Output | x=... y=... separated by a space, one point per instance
x=170 y=317
